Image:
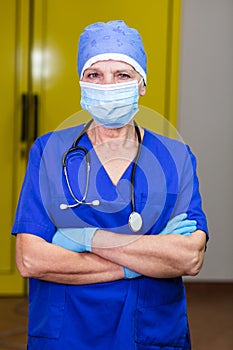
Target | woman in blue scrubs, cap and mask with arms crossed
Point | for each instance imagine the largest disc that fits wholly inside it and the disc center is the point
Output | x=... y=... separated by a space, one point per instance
x=105 y=265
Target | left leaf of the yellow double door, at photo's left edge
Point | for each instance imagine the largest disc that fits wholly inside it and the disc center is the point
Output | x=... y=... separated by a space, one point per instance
x=13 y=63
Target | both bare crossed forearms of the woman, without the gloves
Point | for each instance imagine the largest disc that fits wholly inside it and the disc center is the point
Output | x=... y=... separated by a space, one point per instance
x=158 y=256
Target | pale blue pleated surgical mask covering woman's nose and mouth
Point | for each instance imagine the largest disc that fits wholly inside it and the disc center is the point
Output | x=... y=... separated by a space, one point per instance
x=111 y=105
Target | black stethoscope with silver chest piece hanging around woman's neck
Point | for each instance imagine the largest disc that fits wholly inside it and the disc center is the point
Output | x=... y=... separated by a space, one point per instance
x=135 y=218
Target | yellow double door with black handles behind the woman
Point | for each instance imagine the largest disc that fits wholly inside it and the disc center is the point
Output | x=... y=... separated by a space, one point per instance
x=38 y=68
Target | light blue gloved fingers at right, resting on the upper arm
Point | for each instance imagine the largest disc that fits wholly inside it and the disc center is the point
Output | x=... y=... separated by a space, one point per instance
x=179 y=225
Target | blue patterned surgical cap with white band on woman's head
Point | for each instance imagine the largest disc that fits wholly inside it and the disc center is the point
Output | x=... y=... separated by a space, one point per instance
x=112 y=40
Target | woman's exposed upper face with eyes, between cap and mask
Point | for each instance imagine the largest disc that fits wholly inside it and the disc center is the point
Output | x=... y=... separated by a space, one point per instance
x=113 y=72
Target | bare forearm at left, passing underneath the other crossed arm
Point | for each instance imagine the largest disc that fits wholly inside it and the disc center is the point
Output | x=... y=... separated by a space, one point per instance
x=36 y=258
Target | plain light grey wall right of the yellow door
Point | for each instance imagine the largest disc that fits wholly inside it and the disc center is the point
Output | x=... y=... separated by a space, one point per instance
x=206 y=120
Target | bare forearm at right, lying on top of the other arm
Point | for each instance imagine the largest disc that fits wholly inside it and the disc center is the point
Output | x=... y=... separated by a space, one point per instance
x=160 y=256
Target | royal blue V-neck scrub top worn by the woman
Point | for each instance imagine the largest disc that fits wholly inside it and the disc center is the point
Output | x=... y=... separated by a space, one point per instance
x=143 y=313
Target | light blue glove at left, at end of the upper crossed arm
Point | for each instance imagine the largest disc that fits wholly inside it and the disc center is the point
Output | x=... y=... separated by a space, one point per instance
x=75 y=239
